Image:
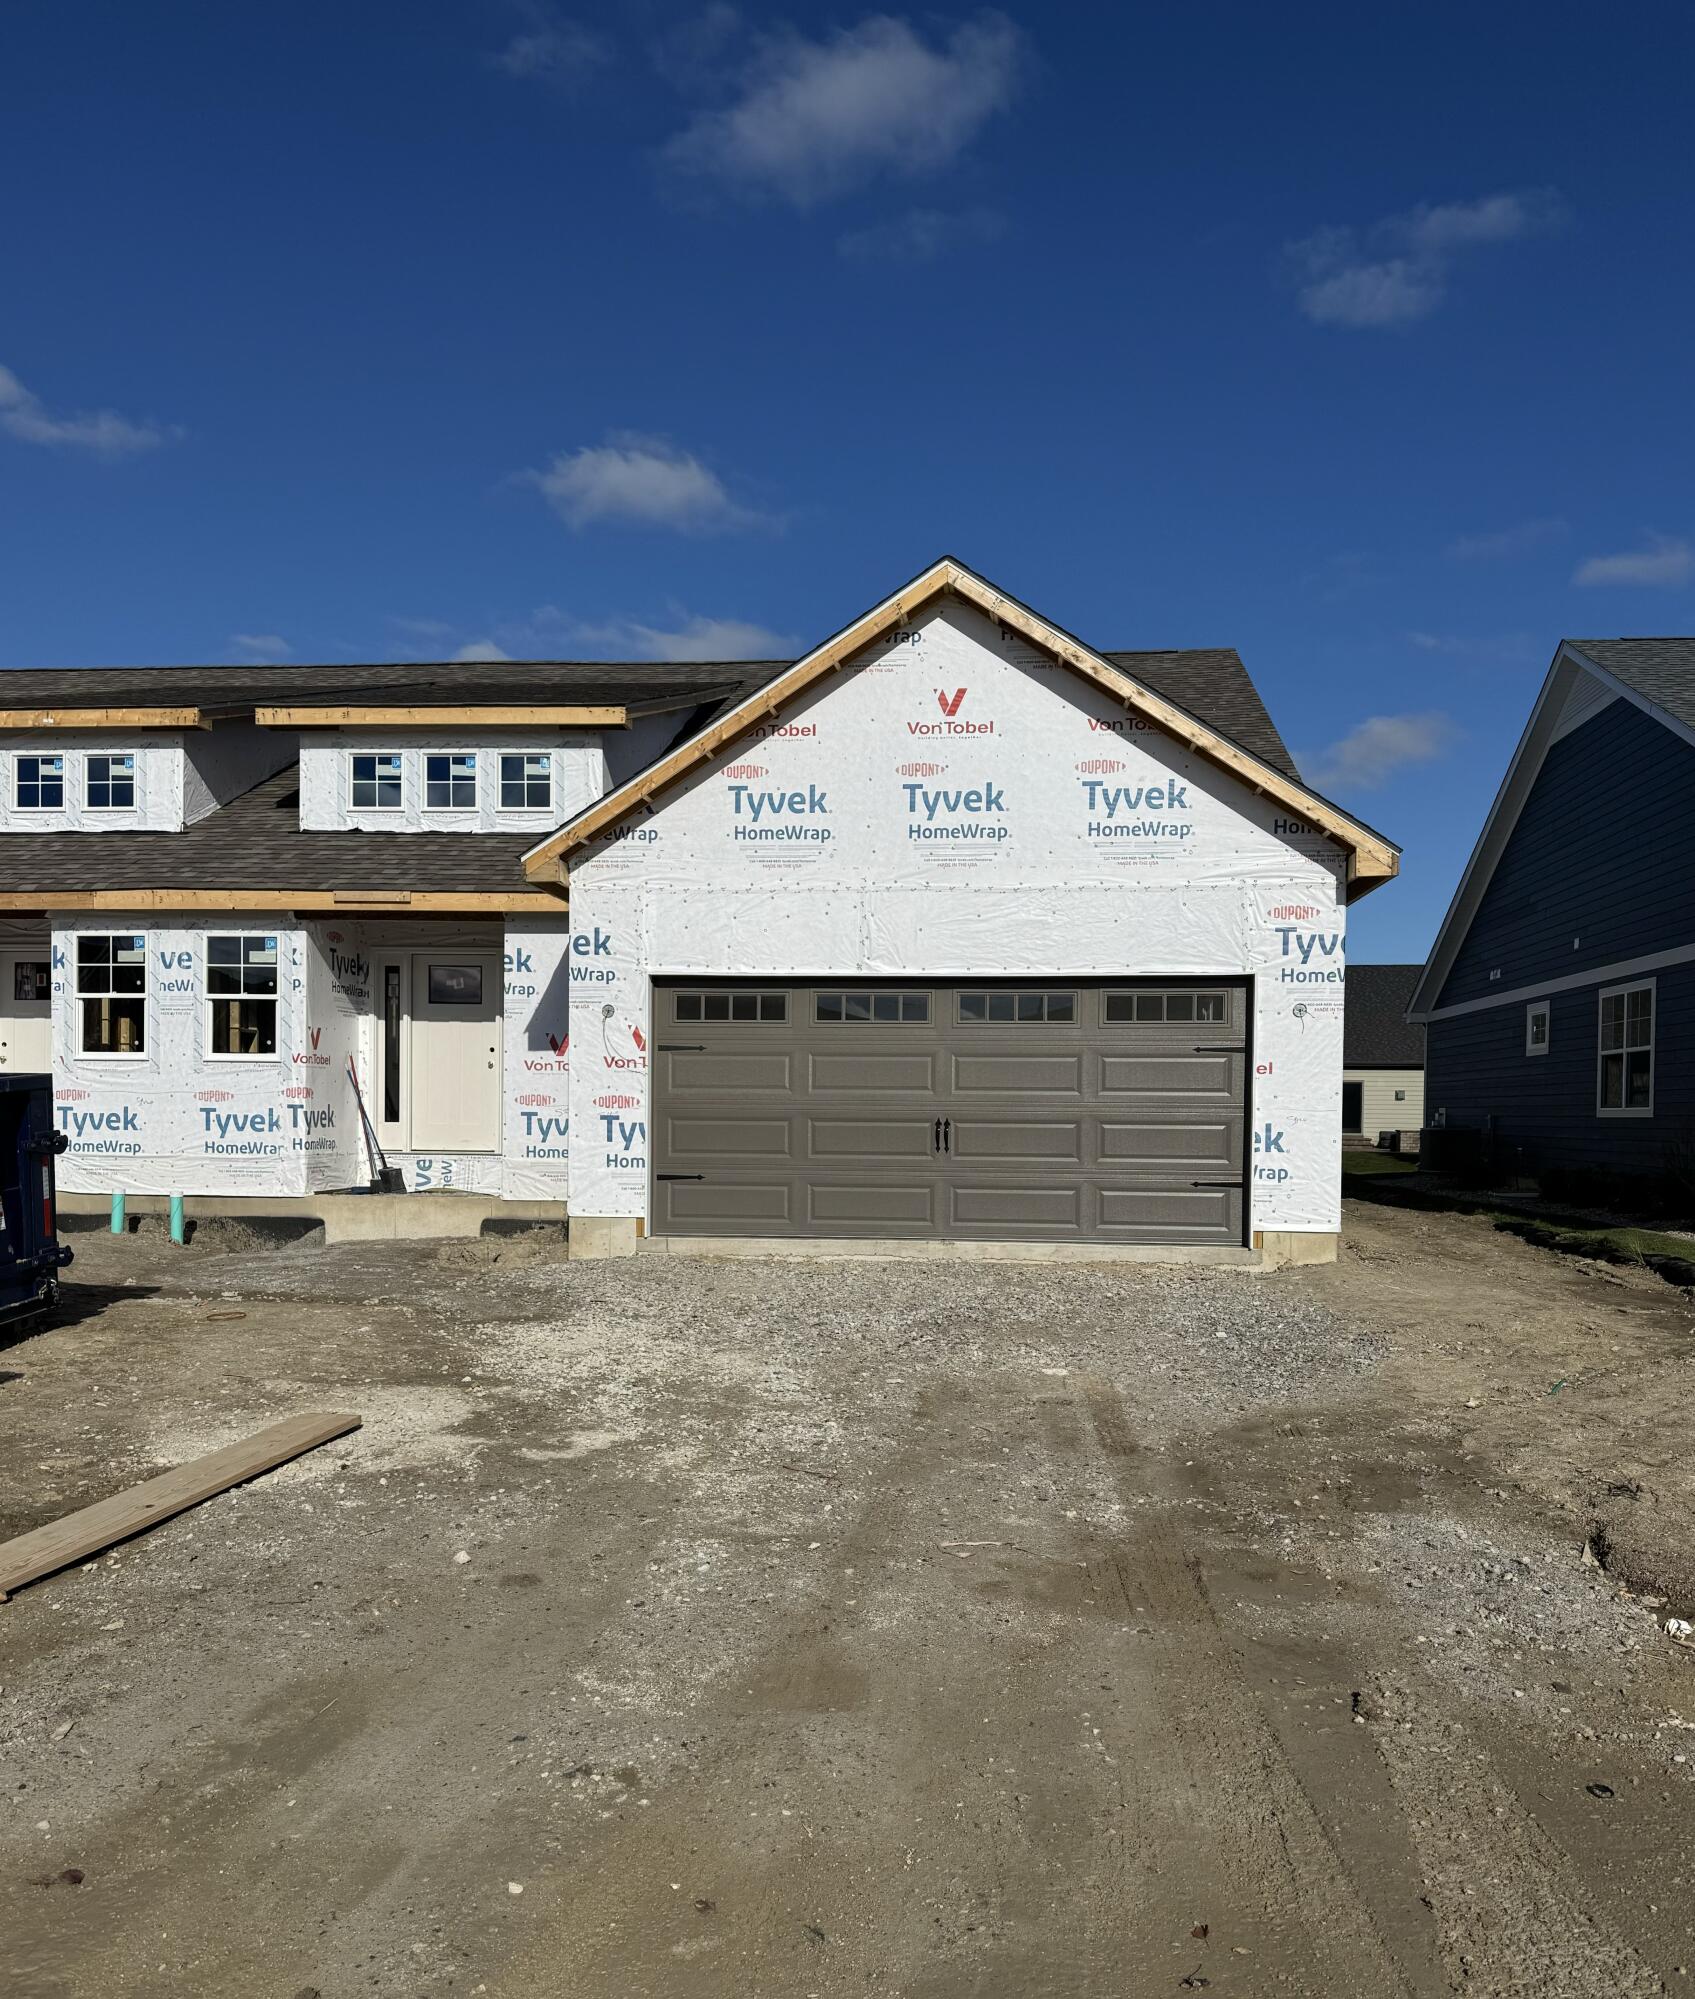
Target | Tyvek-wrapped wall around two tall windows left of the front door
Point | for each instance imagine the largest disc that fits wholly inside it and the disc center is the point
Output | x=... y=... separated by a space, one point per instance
x=181 y=1120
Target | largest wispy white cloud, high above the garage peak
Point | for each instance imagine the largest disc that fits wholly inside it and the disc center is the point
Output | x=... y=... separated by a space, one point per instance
x=817 y=119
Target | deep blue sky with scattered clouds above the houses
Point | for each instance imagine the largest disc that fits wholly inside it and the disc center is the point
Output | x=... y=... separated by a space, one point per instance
x=1358 y=339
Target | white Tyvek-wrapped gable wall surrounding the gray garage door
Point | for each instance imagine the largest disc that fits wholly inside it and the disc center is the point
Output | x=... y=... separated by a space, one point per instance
x=956 y=805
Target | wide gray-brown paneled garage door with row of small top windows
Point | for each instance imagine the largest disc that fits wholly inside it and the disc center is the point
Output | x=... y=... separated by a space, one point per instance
x=1058 y=1110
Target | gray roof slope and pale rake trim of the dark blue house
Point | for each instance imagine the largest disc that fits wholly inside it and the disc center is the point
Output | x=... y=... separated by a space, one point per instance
x=1656 y=675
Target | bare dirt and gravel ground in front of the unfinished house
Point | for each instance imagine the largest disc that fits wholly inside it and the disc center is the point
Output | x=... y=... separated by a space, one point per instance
x=850 y=1628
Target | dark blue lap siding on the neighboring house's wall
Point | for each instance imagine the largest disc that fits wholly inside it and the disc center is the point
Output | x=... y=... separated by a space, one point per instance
x=1598 y=871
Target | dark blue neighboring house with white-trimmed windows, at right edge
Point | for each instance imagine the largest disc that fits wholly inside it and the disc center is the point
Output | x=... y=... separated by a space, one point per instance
x=1560 y=997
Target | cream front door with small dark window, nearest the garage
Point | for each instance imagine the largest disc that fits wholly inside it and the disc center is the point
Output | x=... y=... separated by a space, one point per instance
x=455 y=1052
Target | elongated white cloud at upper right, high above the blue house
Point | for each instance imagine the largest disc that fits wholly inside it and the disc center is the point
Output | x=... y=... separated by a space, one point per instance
x=1398 y=269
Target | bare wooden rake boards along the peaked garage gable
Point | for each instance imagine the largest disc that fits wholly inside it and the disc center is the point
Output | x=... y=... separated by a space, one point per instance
x=1370 y=857
